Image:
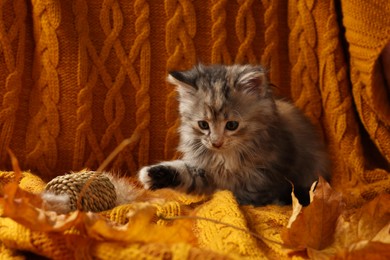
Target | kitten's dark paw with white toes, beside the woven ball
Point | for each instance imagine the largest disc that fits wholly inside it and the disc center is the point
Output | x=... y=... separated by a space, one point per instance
x=158 y=177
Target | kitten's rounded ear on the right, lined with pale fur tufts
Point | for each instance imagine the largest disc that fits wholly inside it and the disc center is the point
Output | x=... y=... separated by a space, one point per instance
x=253 y=80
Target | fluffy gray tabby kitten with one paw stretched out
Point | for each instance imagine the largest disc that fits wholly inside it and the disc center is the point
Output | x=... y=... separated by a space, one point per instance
x=235 y=135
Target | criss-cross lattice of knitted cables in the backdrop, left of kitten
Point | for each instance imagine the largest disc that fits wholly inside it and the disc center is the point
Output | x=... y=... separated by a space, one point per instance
x=114 y=104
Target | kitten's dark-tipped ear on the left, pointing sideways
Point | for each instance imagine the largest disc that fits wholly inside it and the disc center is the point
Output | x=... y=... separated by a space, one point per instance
x=184 y=82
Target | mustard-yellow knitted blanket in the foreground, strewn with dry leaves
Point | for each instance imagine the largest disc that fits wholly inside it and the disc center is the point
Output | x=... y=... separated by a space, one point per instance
x=169 y=225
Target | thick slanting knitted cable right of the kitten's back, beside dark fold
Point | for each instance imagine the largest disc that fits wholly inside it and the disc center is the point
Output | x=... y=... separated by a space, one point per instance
x=335 y=90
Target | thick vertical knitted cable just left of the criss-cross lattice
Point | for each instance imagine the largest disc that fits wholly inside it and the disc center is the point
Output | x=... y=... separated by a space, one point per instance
x=44 y=126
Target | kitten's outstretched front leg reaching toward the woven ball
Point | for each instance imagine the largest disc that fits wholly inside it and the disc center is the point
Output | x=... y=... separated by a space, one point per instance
x=179 y=175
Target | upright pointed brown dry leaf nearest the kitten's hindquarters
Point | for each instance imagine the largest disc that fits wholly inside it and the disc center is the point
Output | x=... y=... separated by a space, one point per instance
x=314 y=226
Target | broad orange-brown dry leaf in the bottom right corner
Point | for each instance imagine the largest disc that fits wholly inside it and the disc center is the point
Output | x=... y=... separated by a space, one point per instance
x=360 y=232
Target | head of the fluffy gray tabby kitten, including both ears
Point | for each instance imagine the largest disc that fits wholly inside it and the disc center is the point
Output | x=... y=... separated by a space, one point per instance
x=222 y=107
